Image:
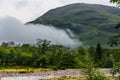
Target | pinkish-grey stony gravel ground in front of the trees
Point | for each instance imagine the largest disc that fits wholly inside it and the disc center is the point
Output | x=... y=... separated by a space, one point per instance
x=46 y=74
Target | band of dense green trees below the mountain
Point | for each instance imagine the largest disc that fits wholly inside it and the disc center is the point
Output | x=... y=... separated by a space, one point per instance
x=46 y=55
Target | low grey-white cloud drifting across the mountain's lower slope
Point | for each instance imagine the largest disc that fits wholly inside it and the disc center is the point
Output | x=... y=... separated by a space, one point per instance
x=12 y=29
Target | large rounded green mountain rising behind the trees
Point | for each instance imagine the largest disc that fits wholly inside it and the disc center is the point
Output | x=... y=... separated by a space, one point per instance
x=91 y=23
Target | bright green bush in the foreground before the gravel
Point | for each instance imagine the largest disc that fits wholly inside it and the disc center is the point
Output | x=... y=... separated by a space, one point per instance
x=91 y=73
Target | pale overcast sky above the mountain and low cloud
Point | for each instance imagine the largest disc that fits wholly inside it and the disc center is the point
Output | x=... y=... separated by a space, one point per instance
x=27 y=10
